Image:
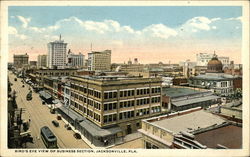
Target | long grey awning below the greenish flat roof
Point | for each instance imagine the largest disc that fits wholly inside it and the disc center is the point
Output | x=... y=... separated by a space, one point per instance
x=194 y=100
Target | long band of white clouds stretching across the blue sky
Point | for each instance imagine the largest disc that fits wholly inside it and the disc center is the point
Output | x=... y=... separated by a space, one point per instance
x=106 y=32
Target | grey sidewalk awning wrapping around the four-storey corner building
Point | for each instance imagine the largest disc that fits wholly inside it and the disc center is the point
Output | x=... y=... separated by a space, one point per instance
x=92 y=128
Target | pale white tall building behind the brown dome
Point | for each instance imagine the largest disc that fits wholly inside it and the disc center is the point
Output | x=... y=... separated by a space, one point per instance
x=202 y=59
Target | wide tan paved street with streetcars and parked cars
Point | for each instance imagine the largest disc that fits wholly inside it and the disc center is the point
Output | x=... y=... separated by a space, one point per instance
x=40 y=116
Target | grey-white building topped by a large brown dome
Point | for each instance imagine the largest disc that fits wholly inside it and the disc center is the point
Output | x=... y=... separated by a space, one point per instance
x=214 y=79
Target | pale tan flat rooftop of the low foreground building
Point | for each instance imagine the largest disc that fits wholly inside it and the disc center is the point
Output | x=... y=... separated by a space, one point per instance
x=189 y=122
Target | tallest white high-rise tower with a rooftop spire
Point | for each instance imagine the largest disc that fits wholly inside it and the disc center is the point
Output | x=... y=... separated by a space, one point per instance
x=57 y=54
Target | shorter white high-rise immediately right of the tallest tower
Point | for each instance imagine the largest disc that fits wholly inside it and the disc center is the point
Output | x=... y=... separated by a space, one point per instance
x=75 y=60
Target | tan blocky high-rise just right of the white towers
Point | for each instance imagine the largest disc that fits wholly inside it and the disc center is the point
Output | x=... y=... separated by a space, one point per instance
x=99 y=61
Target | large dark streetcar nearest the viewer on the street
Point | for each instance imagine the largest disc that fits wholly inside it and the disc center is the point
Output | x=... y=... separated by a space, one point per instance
x=48 y=137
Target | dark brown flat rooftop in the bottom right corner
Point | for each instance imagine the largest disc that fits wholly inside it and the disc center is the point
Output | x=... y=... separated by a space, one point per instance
x=229 y=136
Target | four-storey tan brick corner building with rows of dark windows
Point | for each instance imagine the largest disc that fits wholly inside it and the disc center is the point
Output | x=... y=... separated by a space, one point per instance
x=108 y=101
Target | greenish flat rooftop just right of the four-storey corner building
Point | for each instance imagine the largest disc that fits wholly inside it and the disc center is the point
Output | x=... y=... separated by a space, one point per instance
x=175 y=92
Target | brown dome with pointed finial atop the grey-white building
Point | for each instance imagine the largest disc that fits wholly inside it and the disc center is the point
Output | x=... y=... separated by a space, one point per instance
x=214 y=65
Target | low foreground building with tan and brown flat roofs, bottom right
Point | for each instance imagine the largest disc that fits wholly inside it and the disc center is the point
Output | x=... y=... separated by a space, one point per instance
x=191 y=129
